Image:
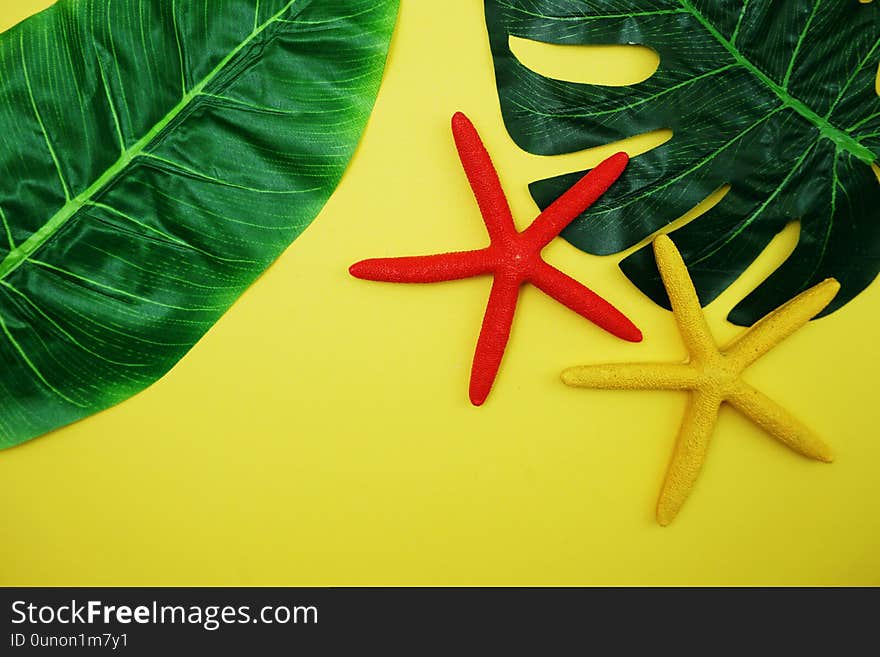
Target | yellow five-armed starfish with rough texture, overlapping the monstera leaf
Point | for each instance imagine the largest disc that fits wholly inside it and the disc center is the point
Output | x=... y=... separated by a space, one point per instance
x=712 y=375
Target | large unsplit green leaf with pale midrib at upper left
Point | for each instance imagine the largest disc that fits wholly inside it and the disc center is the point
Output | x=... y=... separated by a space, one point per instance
x=157 y=156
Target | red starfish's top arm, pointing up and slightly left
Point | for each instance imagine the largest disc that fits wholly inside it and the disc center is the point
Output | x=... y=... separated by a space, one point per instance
x=483 y=179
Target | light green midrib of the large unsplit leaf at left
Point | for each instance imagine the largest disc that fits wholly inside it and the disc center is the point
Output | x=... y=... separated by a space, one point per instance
x=18 y=256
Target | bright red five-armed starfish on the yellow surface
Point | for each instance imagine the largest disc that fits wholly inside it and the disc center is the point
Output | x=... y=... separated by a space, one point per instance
x=513 y=258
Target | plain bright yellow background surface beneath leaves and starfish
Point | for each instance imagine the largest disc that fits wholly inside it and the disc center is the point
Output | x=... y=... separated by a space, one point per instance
x=321 y=433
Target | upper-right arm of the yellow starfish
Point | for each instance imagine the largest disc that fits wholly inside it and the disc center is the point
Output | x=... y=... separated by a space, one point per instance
x=781 y=323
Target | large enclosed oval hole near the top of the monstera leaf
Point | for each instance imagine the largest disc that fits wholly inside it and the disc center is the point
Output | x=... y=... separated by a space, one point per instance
x=610 y=65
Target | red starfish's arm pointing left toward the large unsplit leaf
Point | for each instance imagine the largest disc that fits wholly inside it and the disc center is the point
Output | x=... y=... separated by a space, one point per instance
x=425 y=269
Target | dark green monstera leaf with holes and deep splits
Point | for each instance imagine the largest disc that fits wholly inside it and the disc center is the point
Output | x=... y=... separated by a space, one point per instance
x=776 y=99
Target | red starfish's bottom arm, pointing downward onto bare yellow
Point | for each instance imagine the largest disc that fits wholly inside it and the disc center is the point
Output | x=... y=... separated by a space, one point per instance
x=494 y=335
